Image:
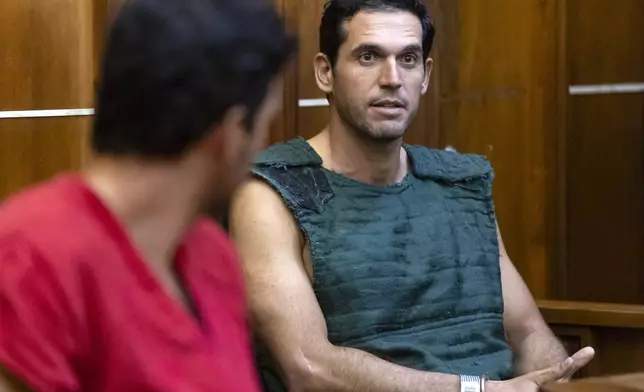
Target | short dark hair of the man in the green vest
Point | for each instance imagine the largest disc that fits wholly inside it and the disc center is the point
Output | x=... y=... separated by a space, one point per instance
x=336 y=12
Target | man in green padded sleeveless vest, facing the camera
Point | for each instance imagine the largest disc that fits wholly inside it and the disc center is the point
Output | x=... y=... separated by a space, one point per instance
x=373 y=265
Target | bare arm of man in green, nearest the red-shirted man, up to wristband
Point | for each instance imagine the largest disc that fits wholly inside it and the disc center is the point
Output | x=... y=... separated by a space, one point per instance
x=286 y=314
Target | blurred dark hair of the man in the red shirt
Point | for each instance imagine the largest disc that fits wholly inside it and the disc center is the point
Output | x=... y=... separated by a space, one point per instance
x=173 y=68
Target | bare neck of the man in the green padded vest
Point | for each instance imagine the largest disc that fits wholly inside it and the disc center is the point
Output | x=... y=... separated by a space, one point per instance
x=370 y=161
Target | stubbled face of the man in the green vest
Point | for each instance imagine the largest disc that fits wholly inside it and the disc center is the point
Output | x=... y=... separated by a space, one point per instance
x=380 y=73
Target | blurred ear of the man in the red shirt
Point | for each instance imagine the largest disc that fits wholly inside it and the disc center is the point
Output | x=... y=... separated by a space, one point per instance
x=228 y=136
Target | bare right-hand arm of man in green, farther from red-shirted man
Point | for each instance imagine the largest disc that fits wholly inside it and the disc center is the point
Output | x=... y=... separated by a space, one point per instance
x=532 y=341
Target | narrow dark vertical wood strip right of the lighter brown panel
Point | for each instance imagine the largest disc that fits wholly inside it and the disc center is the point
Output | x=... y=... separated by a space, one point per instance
x=559 y=257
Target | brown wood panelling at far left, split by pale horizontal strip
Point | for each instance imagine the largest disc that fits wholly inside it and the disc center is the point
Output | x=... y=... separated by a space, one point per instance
x=48 y=63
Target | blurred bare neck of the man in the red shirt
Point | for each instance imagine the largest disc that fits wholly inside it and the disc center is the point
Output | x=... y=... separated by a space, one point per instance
x=156 y=203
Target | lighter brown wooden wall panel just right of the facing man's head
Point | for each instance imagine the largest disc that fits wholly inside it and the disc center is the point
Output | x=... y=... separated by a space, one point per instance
x=497 y=96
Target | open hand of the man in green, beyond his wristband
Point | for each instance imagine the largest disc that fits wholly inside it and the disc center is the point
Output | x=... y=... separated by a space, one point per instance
x=561 y=372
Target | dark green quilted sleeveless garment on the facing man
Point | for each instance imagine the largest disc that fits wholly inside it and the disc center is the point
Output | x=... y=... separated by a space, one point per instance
x=407 y=272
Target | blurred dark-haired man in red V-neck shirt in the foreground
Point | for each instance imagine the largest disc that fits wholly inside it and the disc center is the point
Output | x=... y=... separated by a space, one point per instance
x=110 y=280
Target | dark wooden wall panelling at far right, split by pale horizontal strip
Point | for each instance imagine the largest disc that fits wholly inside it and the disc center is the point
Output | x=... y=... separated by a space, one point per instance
x=605 y=153
